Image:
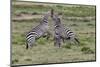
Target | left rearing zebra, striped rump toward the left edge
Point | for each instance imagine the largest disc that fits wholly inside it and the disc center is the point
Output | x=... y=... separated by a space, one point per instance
x=38 y=31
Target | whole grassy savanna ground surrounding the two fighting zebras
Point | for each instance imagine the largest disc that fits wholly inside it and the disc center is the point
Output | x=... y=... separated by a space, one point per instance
x=81 y=20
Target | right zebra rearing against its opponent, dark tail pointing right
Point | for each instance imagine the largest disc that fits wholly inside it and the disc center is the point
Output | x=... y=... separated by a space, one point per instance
x=61 y=32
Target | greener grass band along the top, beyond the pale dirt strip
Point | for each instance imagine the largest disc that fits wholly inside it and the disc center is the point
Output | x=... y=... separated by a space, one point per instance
x=77 y=10
